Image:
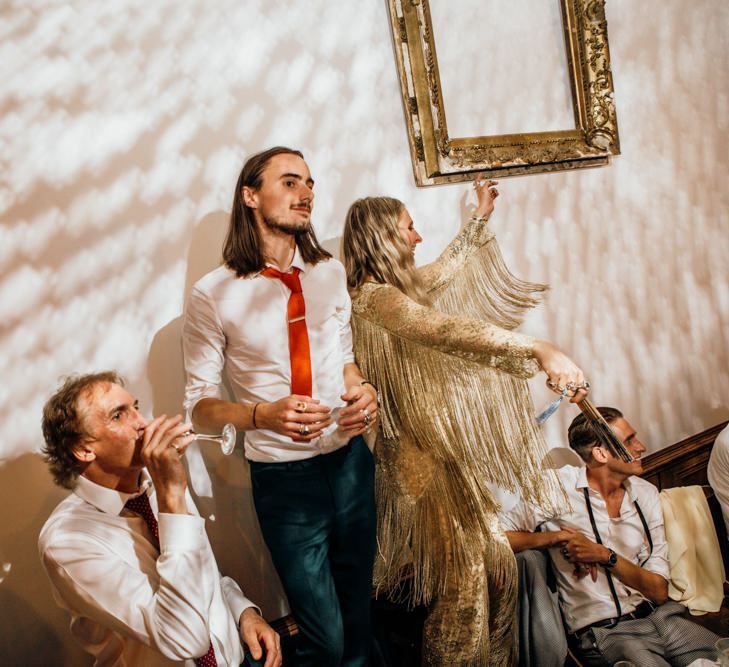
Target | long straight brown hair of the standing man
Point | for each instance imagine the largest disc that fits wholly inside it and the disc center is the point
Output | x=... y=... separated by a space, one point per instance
x=242 y=248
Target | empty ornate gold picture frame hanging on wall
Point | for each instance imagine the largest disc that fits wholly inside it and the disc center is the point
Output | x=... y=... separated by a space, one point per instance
x=439 y=157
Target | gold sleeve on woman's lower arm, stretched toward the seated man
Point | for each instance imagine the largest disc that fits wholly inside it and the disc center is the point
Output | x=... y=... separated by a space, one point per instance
x=472 y=340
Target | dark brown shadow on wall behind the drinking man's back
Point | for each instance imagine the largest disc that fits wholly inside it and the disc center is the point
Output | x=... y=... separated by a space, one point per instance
x=29 y=636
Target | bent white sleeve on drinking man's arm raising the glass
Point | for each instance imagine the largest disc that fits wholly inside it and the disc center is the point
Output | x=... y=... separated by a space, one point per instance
x=167 y=610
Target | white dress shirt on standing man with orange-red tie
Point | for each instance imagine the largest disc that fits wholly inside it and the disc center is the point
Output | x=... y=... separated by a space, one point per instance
x=240 y=324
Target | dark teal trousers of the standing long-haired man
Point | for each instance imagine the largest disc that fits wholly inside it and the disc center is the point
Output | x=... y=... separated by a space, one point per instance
x=317 y=518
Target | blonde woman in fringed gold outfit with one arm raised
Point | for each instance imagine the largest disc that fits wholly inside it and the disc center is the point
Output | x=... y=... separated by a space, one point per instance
x=455 y=413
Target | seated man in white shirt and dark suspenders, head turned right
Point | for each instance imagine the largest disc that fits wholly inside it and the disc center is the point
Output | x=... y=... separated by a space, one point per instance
x=610 y=557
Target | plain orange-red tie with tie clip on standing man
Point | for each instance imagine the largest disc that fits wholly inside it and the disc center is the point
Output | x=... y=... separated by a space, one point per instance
x=299 y=352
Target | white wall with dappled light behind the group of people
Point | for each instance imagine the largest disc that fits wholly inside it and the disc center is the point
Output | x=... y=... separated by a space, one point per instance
x=123 y=126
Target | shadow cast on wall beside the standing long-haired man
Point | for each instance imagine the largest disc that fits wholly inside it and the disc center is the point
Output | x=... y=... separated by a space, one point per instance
x=221 y=484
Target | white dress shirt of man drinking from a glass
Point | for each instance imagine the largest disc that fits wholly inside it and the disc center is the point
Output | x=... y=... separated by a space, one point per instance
x=131 y=604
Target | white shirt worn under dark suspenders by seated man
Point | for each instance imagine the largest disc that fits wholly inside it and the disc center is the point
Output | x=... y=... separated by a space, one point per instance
x=585 y=601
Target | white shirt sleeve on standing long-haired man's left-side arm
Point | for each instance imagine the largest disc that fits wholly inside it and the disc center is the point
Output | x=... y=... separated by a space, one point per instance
x=203 y=345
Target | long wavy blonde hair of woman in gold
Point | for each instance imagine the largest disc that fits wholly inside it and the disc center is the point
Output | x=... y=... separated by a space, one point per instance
x=372 y=248
